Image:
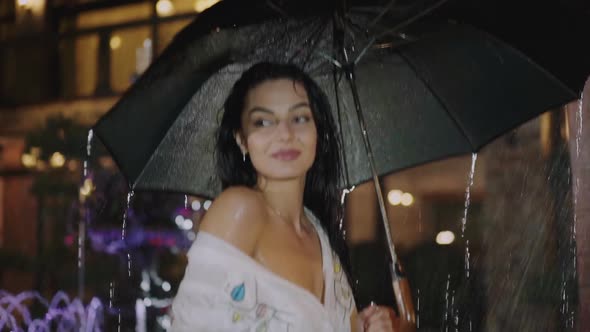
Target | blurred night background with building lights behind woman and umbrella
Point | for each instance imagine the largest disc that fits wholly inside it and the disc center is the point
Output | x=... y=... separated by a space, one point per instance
x=520 y=264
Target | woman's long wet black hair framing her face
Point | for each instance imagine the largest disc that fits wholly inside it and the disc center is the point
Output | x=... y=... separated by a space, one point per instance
x=321 y=194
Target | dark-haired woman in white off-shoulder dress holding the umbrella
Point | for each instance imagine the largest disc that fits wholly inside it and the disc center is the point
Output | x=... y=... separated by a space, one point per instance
x=261 y=260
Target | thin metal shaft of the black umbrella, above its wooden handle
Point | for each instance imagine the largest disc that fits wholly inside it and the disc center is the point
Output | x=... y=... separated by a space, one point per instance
x=357 y=104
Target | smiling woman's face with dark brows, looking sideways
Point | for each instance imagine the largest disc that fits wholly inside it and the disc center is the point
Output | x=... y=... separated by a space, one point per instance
x=278 y=129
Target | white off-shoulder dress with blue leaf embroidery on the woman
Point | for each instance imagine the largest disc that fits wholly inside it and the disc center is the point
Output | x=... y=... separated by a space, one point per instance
x=226 y=290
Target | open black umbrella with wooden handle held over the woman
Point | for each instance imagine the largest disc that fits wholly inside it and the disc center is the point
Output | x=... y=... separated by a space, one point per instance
x=427 y=92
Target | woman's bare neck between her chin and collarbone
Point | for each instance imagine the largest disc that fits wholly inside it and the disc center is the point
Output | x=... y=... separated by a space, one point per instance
x=285 y=199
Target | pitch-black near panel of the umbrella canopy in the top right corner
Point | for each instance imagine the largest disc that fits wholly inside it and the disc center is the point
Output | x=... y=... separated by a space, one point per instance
x=551 y=33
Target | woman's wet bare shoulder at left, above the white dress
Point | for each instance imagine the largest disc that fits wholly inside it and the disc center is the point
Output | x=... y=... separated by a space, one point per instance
x=236 y=216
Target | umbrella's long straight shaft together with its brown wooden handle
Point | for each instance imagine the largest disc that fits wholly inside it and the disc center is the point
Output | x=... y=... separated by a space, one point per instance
x=401 y=287
